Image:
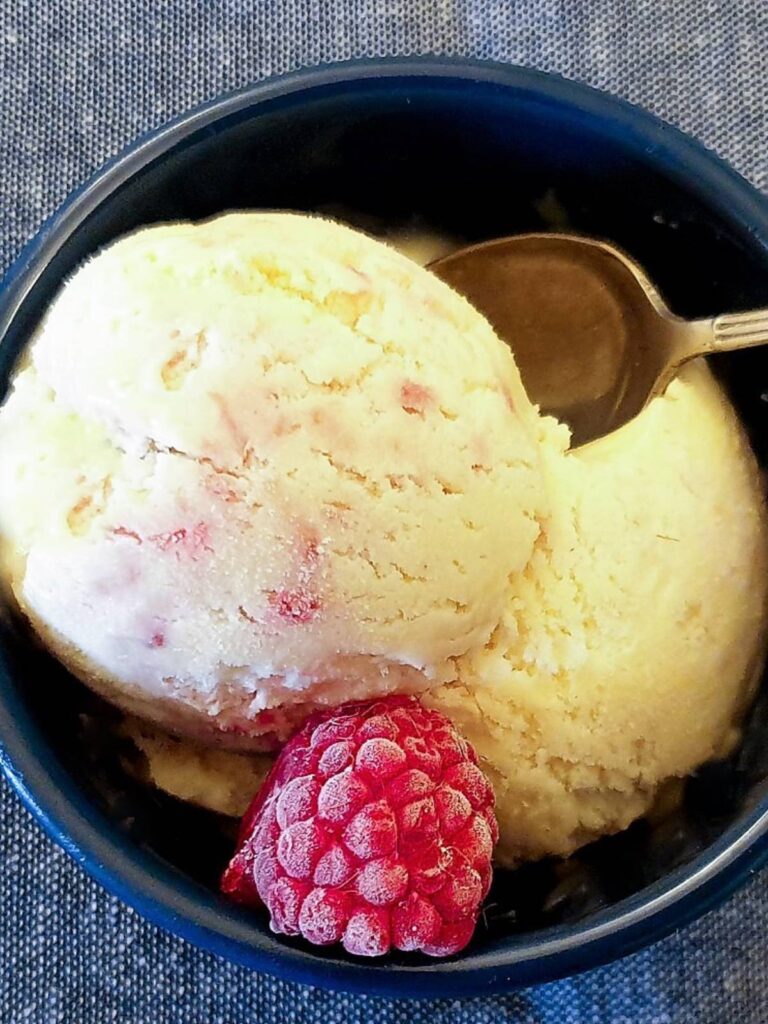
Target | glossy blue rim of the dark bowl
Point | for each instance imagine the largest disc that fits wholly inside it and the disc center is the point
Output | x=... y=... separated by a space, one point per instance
x=163 y=894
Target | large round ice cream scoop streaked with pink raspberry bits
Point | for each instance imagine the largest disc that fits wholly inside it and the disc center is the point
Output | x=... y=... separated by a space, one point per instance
x=262 y=463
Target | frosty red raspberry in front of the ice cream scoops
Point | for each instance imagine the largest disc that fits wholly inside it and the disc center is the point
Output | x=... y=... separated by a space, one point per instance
x=374 y=829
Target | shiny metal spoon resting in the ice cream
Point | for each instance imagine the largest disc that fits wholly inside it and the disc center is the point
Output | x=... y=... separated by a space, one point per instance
x=593 y=338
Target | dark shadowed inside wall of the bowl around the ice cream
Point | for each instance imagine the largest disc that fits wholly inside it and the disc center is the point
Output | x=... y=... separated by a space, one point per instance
x=475 y=160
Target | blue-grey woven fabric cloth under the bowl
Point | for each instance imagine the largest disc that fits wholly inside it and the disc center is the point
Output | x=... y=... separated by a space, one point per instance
x=78 y=81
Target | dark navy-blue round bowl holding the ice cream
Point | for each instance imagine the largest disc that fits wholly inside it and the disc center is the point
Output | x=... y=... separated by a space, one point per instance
x=477 y=151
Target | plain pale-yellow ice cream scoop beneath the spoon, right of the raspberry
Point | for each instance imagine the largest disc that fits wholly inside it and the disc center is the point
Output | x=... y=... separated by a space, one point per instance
x=626 y=657
